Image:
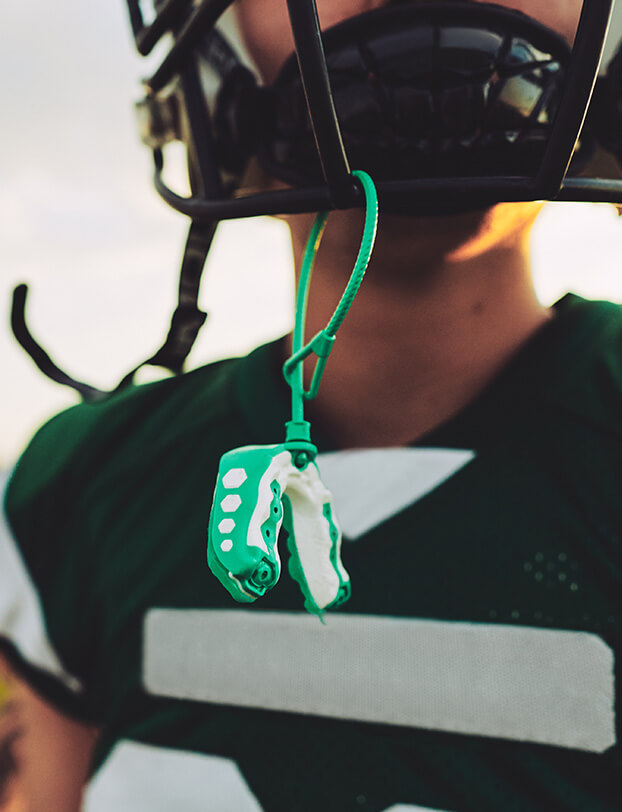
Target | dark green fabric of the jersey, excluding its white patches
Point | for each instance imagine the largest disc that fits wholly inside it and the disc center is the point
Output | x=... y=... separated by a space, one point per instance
x=110 y=505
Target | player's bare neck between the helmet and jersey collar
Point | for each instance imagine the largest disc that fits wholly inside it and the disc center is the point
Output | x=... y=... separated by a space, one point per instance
x=417 y=346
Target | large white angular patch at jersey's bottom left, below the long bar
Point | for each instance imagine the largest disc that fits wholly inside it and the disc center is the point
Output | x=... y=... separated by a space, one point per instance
x=143 y=778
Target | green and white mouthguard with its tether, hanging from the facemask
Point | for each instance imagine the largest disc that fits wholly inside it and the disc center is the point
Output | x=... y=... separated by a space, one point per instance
x=261 y=489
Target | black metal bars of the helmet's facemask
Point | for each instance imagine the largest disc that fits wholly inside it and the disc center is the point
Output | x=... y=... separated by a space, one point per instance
x=339 y=190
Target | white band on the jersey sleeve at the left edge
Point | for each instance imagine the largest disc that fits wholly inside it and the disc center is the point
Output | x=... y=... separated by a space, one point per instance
x=21 y=614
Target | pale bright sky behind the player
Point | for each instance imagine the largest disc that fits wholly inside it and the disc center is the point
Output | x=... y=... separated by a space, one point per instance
x=81 y=224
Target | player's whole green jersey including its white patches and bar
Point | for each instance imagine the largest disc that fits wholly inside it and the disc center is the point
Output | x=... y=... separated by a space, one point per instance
x=476 y=665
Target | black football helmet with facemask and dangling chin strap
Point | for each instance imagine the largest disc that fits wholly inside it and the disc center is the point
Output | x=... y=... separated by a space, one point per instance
x=449 y=105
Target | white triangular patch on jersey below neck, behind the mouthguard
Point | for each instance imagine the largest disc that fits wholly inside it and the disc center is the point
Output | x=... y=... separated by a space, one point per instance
x=372 y=484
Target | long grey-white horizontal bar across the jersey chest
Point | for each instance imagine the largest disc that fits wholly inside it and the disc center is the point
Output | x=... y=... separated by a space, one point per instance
x=535 y=685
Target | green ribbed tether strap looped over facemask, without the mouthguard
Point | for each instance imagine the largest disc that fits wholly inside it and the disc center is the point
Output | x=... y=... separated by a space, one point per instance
x=322 y=343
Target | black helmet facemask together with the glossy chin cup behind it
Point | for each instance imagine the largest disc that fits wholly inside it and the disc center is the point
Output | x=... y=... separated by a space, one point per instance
x=440 y=101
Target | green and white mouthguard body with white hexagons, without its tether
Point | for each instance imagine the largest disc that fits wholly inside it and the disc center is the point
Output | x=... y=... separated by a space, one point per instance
x=259 y=490
